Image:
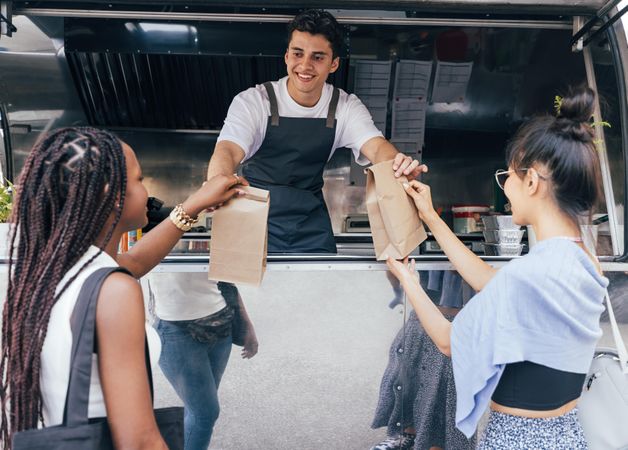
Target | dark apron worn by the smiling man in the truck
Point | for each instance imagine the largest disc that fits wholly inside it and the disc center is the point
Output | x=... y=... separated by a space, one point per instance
x=290 y=165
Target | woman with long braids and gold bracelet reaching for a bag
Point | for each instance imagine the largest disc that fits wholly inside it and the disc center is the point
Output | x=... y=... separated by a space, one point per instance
x=79 y=191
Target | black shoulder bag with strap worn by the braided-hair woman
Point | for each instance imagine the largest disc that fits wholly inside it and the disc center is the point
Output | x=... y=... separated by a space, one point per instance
x=77 y=432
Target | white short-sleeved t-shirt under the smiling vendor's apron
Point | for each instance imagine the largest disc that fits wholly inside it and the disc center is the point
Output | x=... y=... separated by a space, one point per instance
x=248 y=114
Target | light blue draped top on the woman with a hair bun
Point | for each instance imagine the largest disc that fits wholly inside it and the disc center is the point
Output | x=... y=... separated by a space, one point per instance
x=544 y=308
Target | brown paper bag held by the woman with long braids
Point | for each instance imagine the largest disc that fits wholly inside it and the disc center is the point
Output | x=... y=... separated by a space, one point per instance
x=239 y=238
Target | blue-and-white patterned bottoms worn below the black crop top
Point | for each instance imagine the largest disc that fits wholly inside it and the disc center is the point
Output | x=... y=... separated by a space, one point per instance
x=506 y=432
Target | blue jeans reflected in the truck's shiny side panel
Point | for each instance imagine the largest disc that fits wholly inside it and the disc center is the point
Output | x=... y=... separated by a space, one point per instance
x=194 y=369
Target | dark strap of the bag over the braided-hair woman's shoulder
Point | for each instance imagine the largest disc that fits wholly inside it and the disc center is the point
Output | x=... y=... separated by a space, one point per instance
x=83 y=325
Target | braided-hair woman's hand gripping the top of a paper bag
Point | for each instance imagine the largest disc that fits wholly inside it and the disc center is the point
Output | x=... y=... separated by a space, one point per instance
x=214 y=193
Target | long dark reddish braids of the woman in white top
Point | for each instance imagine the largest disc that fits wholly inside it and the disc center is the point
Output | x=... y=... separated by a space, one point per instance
x=67 y=191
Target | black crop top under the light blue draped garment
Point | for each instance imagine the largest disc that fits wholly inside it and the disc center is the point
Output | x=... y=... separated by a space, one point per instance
x=527 y=385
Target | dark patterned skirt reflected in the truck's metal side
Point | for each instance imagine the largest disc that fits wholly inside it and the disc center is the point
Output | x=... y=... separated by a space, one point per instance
x=427 y=398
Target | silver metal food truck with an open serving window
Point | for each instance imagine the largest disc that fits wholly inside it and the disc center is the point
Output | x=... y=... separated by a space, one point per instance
x=446 y=81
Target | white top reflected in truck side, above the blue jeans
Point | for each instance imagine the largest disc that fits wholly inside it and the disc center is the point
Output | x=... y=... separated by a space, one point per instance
x=186 y=296
